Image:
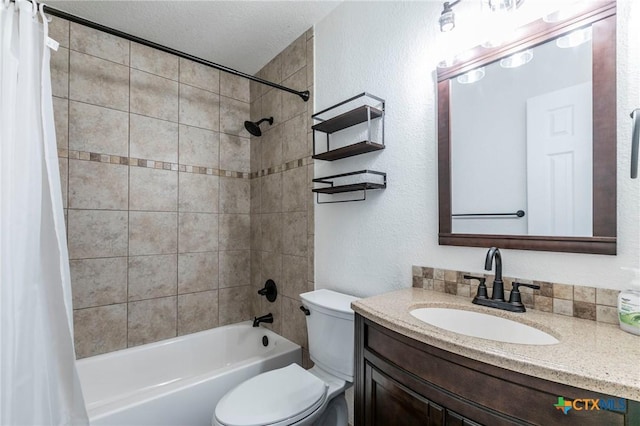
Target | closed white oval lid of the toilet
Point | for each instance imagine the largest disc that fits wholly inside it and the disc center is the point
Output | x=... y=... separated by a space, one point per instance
x=286 y=394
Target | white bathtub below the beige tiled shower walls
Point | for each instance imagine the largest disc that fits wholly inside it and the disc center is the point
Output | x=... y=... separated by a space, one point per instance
x=180 y=380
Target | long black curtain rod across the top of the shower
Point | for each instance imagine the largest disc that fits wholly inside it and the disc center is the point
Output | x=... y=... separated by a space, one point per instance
x=78 y=20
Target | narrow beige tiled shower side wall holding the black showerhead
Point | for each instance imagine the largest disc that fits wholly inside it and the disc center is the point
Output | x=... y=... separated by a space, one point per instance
x=281 y=198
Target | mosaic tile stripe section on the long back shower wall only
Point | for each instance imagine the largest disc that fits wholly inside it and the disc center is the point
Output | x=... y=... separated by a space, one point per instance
x=151 y=164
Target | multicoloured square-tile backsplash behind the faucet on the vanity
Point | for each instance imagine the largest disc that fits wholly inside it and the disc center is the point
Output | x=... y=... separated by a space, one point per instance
x=590 y=303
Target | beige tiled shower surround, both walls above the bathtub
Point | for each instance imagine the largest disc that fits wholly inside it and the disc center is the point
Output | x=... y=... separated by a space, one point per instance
x=155 y=166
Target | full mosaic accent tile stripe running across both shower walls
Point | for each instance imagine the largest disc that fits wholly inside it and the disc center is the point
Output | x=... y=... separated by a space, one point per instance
x=152 y=164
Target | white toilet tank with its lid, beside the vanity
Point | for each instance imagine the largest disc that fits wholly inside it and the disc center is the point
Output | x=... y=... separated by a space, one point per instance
x=331 y=331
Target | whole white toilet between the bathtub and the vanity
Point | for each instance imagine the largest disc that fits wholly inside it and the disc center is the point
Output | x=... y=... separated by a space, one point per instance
x=293 y=395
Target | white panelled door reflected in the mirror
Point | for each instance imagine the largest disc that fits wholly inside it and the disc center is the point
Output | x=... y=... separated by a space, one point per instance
x=559 y=163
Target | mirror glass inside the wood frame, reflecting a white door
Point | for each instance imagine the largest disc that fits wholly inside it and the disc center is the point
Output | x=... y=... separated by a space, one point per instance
x=521 y=142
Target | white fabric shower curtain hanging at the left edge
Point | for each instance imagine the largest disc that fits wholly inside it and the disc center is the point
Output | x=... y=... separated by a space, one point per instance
x=38 y=379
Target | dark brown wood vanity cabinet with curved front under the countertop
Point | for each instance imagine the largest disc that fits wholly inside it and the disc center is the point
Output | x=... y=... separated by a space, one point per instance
x=400 y=381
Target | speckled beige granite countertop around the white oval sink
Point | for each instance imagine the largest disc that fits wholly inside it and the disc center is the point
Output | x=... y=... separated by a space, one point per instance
x=591 y=355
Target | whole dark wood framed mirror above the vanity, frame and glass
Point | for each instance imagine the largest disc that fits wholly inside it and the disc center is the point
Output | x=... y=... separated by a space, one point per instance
x=480 y=188
